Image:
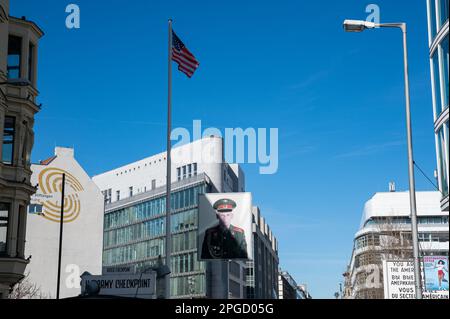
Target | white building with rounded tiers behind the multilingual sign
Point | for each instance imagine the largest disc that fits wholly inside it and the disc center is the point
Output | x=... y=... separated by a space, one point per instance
x=385 y=234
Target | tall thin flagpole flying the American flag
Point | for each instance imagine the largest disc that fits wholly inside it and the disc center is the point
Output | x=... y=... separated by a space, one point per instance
x=169 y=163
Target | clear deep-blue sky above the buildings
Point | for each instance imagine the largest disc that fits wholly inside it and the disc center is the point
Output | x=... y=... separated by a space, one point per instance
x=337 y=99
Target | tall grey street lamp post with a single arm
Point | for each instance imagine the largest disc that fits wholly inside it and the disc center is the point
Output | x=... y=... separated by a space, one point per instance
x=359 y=26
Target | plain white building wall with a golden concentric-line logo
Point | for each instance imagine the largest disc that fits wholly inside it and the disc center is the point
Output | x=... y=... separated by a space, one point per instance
x=82 y=231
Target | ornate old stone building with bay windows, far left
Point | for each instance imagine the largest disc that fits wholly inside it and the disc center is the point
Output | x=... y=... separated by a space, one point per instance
x=19 y=39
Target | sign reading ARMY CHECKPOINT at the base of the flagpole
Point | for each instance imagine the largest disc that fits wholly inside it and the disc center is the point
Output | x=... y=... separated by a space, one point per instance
x=123 y=285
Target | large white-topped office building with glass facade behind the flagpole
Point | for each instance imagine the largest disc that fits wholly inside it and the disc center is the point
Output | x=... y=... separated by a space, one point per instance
x=134 y=221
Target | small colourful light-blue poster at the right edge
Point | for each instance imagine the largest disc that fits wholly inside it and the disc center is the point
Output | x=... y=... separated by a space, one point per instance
x=435 y=273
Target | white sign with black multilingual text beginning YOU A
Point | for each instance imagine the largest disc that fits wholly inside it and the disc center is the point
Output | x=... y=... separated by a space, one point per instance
x=399 y=279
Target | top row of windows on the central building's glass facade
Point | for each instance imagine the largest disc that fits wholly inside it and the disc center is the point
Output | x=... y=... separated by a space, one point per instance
x=179 y=200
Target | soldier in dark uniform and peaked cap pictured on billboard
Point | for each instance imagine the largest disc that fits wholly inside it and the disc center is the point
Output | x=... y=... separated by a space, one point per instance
x=224 y=241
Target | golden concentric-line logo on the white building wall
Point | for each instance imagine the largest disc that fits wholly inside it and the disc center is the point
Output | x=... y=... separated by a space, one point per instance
x=47 y=201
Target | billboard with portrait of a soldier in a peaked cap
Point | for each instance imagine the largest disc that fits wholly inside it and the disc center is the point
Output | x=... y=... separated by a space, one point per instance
x=225 y=226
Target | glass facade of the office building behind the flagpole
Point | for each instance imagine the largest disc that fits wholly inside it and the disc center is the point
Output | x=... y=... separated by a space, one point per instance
x=135 y=235
